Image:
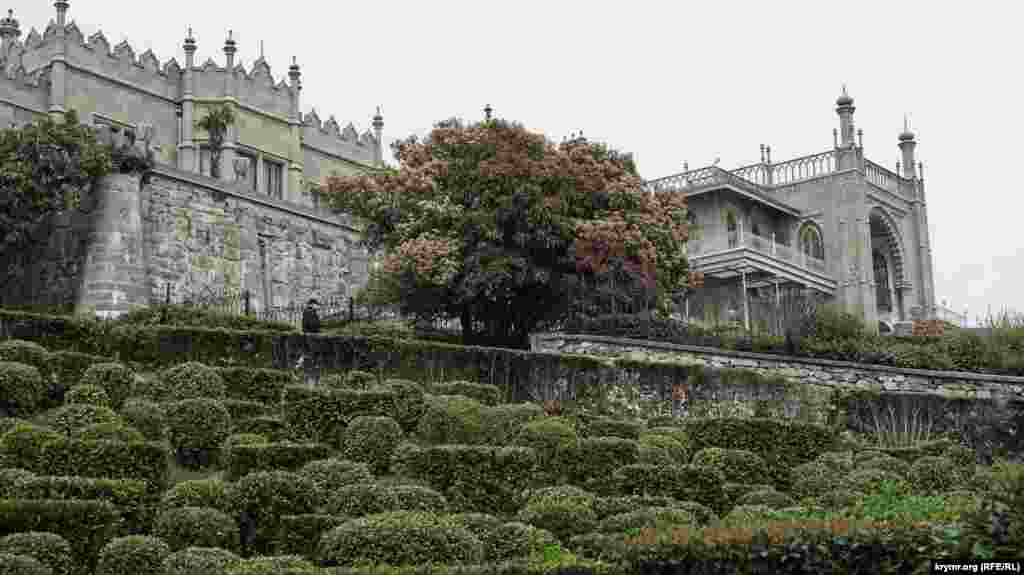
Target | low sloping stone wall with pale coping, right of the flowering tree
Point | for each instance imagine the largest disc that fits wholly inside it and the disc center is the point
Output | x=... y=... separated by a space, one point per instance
x=795 y=370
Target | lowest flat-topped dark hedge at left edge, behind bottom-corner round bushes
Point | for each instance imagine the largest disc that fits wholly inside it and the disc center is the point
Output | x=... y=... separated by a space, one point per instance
x=88 y=526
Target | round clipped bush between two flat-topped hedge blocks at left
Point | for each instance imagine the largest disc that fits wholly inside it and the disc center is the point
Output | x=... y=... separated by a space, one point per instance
x=197 y=428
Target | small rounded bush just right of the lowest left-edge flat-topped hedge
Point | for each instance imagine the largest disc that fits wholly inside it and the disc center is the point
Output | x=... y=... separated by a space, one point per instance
x=203 y=527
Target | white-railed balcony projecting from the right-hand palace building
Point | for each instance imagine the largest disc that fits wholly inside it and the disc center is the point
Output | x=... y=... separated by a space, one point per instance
x=758 y=258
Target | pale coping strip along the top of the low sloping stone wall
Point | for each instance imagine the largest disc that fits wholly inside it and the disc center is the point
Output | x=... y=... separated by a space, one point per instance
x=780 y=359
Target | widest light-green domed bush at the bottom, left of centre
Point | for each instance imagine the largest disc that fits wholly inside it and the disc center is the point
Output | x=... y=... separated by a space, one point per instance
x=387 y=539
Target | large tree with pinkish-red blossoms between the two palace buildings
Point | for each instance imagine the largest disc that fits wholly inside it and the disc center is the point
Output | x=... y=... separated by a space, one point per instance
x=497 y=227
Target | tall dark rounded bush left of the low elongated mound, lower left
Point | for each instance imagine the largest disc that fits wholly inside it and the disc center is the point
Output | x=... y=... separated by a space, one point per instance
x=262 y=499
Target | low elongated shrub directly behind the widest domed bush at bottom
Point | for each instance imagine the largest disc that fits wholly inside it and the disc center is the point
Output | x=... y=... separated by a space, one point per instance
x=363 y=500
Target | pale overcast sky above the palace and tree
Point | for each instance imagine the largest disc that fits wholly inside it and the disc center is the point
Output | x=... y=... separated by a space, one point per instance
x=669 y=81
